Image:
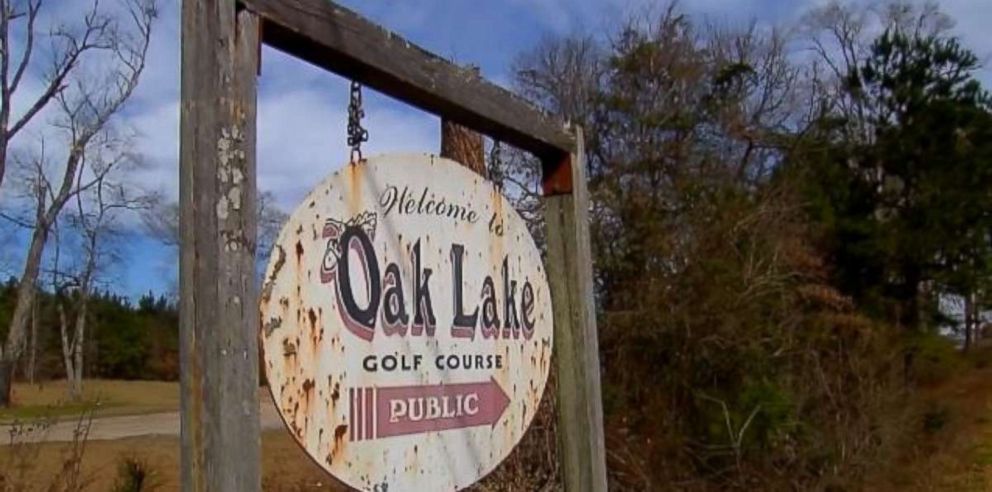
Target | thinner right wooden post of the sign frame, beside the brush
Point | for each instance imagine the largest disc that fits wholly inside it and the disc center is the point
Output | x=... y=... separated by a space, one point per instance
x=581 y=449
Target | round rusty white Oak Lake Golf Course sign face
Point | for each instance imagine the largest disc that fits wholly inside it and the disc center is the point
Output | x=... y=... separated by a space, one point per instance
x=406 y=325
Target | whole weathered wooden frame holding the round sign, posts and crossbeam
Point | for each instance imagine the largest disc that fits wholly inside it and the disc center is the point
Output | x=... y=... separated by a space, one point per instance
x=221 y=40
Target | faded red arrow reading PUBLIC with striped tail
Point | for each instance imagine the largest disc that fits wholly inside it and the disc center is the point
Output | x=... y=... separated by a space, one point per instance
x=403 y=410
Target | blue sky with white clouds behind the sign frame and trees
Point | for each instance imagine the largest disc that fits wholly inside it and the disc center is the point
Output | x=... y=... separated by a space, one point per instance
x=302 y=109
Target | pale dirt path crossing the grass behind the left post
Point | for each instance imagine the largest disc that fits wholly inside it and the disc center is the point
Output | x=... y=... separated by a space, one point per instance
x=108 y=428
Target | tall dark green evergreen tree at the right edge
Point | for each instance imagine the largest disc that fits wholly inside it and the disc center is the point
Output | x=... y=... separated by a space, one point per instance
x=906 y=215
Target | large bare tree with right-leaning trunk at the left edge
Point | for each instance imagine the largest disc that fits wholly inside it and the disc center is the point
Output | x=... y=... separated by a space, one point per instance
x=86 y=101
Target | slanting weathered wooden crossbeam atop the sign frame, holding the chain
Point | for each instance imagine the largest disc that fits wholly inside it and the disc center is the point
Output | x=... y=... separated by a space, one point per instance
x=339 y=40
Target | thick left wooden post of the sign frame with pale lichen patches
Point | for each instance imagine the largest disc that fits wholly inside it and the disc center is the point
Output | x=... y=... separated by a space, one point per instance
x=220 y=445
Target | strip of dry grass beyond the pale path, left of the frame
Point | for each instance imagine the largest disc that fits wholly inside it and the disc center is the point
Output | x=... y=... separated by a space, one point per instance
x=105 y=397
